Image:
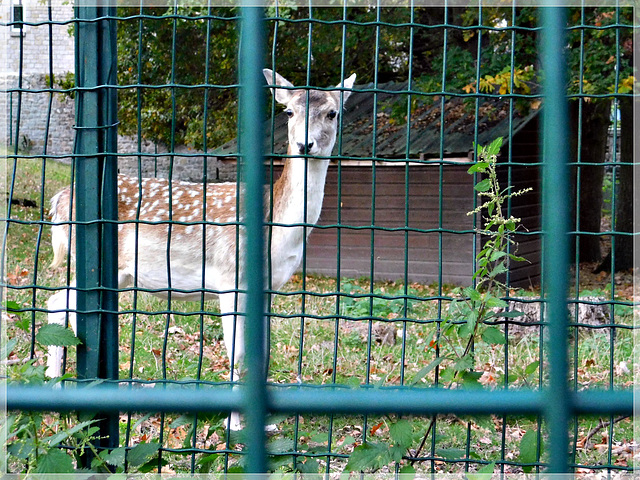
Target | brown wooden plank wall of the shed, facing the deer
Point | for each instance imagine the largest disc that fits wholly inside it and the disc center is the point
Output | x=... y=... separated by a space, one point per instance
x=432 y=255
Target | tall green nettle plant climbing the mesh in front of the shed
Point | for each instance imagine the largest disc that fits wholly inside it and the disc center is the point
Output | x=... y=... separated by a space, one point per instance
x=470 y=318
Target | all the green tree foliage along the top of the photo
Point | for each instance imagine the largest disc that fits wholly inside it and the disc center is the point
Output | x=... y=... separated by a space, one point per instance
x=191 y=52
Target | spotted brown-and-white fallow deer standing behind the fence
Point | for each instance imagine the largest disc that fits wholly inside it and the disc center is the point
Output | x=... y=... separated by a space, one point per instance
x=142 y=247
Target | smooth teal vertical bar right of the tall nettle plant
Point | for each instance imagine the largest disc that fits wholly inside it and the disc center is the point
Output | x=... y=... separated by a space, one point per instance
x=555 y=214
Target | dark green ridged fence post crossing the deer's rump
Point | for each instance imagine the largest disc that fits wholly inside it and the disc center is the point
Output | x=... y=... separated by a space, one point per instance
x=96 y=199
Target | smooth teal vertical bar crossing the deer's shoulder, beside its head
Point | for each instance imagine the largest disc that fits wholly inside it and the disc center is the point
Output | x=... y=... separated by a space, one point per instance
x=251 y=142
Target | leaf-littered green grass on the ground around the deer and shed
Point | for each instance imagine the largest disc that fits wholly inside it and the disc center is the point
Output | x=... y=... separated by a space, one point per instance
x=317 y=337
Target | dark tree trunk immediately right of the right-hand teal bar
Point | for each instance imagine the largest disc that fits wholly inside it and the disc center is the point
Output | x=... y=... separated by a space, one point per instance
x=595 y=121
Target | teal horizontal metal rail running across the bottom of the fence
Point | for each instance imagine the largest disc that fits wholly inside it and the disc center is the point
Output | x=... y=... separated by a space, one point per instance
x=306 y=399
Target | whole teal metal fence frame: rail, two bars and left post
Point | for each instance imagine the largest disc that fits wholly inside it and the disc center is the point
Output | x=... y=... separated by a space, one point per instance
x=96 y=182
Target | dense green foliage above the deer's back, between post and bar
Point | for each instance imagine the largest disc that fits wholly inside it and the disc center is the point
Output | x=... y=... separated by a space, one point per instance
x=173 y=48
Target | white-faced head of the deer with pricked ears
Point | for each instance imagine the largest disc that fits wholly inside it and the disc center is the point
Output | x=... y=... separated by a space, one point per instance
x=313 y=114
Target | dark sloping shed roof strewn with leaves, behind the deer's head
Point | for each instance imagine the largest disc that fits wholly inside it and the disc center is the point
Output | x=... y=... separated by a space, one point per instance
x=389 y=103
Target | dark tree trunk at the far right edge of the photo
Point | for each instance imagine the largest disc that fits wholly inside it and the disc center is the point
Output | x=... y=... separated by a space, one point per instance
x=623 y=244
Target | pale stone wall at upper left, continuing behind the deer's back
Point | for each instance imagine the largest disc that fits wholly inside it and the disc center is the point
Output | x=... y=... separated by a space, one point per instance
x=42 y=122
